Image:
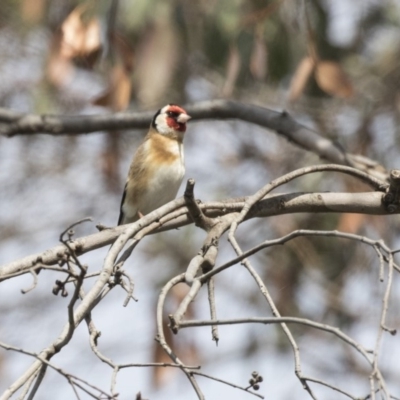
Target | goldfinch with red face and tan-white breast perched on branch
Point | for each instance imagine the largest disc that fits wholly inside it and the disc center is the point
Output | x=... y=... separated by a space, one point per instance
x=158 y=166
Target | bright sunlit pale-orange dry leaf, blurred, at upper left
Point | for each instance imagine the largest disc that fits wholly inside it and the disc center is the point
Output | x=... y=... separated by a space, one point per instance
x=80 y=39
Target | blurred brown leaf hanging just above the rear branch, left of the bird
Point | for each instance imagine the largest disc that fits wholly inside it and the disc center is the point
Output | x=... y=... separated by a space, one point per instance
x=118 y=94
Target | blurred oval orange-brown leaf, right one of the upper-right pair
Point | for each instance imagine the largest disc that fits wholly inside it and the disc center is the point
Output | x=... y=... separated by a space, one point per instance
x=332 y=79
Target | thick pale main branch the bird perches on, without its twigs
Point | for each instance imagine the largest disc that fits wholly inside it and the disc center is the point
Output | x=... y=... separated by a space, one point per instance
x=362 y=203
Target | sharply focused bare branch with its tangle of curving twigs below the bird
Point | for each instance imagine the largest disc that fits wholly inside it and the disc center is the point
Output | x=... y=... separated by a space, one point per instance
x=216 y=218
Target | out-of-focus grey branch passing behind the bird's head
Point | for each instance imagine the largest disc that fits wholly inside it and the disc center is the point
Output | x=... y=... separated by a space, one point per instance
x=13 y=123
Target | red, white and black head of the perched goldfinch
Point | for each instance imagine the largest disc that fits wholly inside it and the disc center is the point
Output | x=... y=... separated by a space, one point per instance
x=170 y=120
